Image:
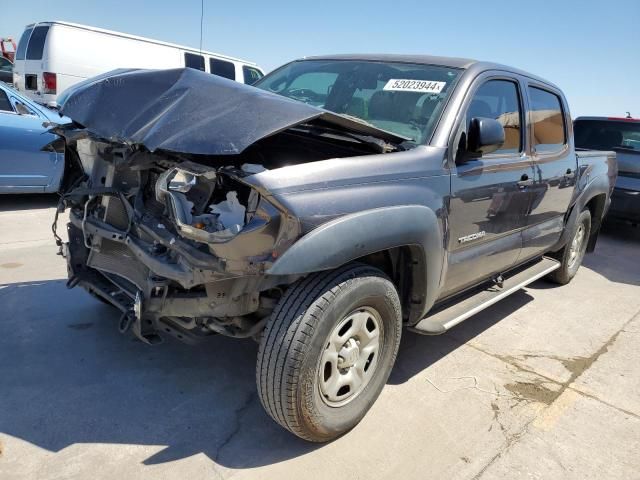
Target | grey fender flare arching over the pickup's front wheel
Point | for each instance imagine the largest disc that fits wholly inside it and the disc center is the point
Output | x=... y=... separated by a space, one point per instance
x=355 y=235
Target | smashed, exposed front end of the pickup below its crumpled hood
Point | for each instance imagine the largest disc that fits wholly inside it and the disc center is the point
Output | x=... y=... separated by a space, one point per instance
x=176 y=242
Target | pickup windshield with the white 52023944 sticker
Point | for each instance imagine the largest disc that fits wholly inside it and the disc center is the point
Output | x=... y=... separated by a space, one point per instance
x=402 y=98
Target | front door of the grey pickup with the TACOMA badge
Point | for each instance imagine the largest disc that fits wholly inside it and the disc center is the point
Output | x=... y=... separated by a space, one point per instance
x=489 y=203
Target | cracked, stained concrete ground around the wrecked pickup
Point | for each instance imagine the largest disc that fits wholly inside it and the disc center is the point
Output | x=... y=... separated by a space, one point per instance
x=543 y=385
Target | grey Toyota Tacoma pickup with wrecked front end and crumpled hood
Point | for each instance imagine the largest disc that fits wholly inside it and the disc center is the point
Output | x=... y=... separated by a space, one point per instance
x=341 y=200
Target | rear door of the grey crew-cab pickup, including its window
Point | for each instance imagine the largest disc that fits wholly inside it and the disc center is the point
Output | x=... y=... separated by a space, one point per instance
x=554 y=169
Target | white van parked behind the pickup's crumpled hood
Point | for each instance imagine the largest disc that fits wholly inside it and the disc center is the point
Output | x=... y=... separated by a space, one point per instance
x=52 y=56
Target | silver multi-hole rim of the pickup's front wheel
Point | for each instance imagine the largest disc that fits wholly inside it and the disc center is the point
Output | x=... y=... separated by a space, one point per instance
x=350 y=356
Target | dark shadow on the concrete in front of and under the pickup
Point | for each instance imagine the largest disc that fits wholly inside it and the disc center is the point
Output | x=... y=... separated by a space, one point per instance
x=67 y=376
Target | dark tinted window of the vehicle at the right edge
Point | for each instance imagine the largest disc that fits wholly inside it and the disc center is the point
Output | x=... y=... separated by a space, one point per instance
x=607 y=134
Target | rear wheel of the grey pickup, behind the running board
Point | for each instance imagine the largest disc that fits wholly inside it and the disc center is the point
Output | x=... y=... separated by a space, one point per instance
x=573 y=252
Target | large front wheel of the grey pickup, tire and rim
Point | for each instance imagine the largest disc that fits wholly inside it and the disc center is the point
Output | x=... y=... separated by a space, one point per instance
x=328 y=349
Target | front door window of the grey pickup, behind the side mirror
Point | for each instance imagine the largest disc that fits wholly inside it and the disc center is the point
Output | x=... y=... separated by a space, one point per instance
x=500 y=100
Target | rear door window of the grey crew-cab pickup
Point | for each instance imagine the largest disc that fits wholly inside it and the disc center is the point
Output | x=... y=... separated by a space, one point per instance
x=547 y=119
